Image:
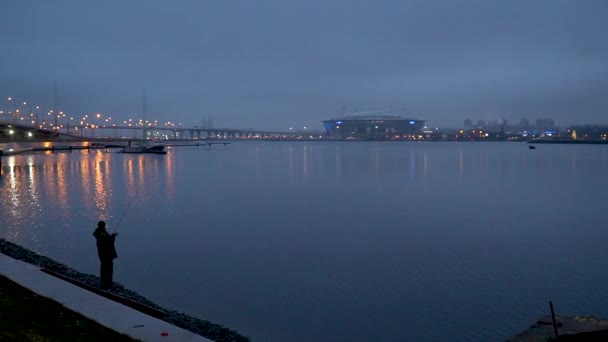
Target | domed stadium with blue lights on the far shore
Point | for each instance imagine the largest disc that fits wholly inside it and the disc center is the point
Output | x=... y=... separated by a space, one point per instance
x=377 y=125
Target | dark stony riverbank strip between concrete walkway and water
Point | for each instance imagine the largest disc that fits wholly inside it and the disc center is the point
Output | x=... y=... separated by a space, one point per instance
x=198 y=326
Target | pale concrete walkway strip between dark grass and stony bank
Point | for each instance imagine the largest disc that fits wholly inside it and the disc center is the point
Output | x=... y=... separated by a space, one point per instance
x=108 y=313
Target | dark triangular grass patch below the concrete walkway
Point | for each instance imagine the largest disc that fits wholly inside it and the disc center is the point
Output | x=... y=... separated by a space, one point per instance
x=26 y=316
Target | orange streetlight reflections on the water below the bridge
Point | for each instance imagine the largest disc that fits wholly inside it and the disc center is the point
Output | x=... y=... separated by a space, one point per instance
x=69 y=182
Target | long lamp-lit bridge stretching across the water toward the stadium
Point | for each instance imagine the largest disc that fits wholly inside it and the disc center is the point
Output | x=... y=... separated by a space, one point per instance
x=13 y=131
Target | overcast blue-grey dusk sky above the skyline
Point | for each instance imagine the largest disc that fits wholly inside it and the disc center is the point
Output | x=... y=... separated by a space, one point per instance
x=278 y=63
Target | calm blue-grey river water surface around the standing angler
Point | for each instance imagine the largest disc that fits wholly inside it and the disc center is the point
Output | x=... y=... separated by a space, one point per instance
x=333 y=241
